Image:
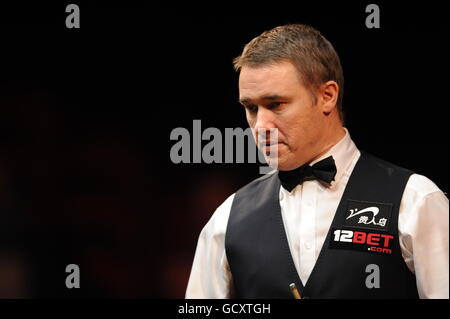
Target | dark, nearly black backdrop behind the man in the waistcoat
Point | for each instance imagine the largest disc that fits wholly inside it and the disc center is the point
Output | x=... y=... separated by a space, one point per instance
x=86 y=115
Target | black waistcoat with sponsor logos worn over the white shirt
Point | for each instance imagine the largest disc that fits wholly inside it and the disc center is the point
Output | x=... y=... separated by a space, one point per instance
x=364 y=232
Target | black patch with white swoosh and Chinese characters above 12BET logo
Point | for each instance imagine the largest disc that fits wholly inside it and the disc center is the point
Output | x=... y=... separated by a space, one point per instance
x=368 y=215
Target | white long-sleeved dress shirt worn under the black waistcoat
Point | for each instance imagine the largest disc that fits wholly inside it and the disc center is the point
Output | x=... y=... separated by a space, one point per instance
x=307 y=213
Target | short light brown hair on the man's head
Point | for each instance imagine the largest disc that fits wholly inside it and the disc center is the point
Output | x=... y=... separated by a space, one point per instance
x=310 y=52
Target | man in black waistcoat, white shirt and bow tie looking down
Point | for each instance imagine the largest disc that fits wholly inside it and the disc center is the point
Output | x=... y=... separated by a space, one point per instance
x=334 y=221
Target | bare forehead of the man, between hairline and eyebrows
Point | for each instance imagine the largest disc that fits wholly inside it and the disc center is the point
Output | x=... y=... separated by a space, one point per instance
x=273 y=79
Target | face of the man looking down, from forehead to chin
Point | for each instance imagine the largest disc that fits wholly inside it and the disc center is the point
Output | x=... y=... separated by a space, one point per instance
x=274 y=97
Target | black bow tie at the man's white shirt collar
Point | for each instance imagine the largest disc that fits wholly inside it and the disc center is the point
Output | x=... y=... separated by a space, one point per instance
x=324 y=170
